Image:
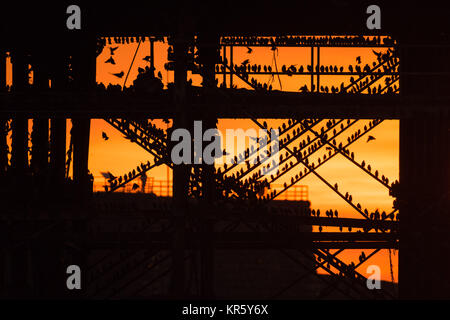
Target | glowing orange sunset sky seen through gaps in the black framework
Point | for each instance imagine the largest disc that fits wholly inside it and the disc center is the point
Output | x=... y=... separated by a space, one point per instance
x=119 y=156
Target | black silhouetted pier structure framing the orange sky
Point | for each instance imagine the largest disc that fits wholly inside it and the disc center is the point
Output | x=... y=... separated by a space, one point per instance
x=49 y=222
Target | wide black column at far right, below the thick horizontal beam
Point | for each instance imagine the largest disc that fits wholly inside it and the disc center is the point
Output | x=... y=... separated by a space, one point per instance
x=424 y=205
